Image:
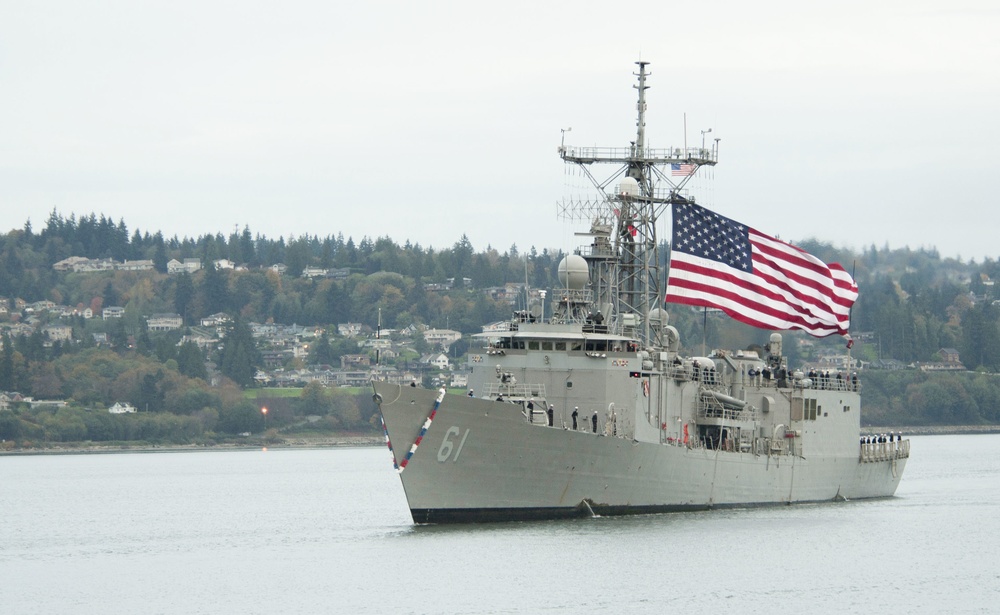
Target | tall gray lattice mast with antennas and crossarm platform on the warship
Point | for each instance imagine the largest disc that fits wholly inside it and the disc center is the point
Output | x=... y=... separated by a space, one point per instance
x=624 y=255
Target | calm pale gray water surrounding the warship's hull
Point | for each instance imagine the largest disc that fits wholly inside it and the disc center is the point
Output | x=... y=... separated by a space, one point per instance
x=327 y=531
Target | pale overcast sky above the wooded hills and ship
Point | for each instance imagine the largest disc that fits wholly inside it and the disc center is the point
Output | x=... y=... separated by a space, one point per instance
x=856 y=123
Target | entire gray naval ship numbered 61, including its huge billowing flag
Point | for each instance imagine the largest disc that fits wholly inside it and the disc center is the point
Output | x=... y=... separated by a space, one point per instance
x=590 y=406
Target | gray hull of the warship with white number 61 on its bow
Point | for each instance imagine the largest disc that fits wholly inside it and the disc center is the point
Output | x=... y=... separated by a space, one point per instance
x=480 y=460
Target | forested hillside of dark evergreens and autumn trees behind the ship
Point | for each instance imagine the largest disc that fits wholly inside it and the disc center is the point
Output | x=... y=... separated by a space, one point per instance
x=913 y=305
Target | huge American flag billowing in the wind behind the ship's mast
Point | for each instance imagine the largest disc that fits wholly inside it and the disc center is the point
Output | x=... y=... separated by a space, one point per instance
x=756 y=279
